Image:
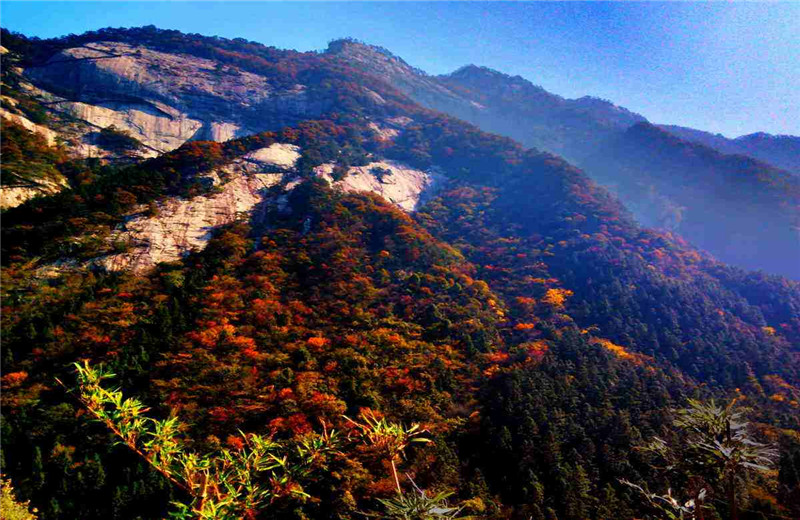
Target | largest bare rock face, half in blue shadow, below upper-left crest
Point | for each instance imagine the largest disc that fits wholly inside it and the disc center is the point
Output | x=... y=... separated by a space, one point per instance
x=166 y=99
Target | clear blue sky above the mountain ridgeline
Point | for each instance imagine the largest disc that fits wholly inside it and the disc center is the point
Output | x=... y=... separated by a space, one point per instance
x=721 y=67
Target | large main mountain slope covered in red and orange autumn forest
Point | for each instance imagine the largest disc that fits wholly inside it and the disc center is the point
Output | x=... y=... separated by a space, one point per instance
x=495 y=294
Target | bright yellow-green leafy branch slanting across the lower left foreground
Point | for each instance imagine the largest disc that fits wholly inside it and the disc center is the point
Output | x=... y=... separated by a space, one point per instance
x=227 y=484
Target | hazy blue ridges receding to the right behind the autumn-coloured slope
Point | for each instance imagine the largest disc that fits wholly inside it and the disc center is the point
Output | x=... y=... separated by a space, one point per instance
x=600 y=138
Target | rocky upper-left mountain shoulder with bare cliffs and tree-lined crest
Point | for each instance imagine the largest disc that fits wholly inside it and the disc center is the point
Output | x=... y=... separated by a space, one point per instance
x=125 y=94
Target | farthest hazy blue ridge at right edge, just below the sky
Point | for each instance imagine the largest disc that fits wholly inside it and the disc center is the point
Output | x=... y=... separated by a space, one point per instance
x=782 y=151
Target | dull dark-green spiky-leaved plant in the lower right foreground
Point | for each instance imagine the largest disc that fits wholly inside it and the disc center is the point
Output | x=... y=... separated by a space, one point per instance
x=714 y=455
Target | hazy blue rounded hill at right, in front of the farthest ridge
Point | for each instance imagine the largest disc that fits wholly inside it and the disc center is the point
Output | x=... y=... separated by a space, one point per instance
x=668 y=179
